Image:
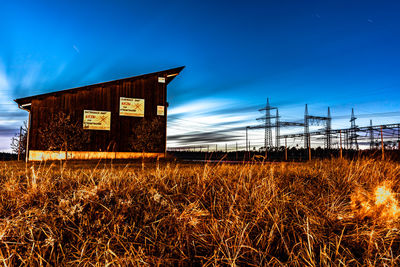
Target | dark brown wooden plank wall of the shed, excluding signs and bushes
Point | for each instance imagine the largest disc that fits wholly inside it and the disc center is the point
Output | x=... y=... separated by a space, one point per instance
x=102 y=97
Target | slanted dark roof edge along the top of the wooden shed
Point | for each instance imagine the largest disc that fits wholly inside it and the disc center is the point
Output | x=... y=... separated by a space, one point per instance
x=28 y=99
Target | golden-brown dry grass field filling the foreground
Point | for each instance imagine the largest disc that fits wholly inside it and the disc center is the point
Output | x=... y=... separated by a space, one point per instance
x=330 y=212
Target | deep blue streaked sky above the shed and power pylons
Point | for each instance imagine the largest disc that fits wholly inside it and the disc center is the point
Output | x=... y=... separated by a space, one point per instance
x=341 y=54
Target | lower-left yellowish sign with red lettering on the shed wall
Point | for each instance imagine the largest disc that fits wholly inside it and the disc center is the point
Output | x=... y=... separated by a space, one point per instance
x=96 y=120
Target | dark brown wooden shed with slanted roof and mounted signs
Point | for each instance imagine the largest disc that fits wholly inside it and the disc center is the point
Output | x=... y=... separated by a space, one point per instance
x=108 y=113
